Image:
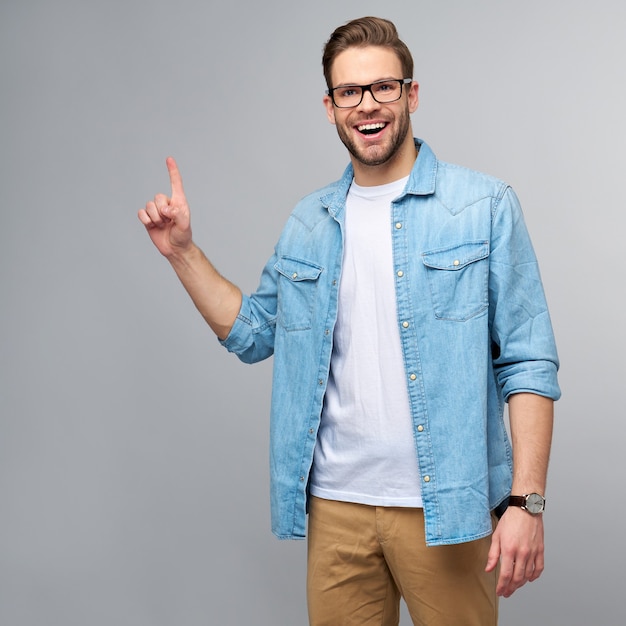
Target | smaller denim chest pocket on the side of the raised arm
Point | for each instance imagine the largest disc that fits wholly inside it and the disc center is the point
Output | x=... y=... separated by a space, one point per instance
x=297 y=287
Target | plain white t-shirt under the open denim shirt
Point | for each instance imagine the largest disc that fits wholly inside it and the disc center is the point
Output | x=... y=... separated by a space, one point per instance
x=365 y=450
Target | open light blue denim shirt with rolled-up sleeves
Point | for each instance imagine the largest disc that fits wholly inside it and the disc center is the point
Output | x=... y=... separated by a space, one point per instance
x=474 y=329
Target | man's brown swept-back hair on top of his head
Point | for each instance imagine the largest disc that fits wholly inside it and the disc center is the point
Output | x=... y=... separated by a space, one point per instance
x=365 y=31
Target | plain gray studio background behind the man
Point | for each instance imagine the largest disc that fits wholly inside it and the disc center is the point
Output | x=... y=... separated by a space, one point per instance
x=133 y=449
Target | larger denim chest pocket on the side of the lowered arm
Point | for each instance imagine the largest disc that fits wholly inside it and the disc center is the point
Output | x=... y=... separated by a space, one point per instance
x=458 y=279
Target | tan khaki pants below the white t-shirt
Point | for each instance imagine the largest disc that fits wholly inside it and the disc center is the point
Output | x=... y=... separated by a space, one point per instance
x=361 y=559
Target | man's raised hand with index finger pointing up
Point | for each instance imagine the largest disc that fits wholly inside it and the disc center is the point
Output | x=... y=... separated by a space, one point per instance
x=167 y=218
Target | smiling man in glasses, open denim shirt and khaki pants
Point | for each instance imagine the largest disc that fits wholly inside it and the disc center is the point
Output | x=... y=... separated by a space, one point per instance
x=403 y=306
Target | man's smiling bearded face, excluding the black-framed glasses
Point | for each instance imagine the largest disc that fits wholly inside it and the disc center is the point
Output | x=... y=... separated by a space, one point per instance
x=388 y=124
